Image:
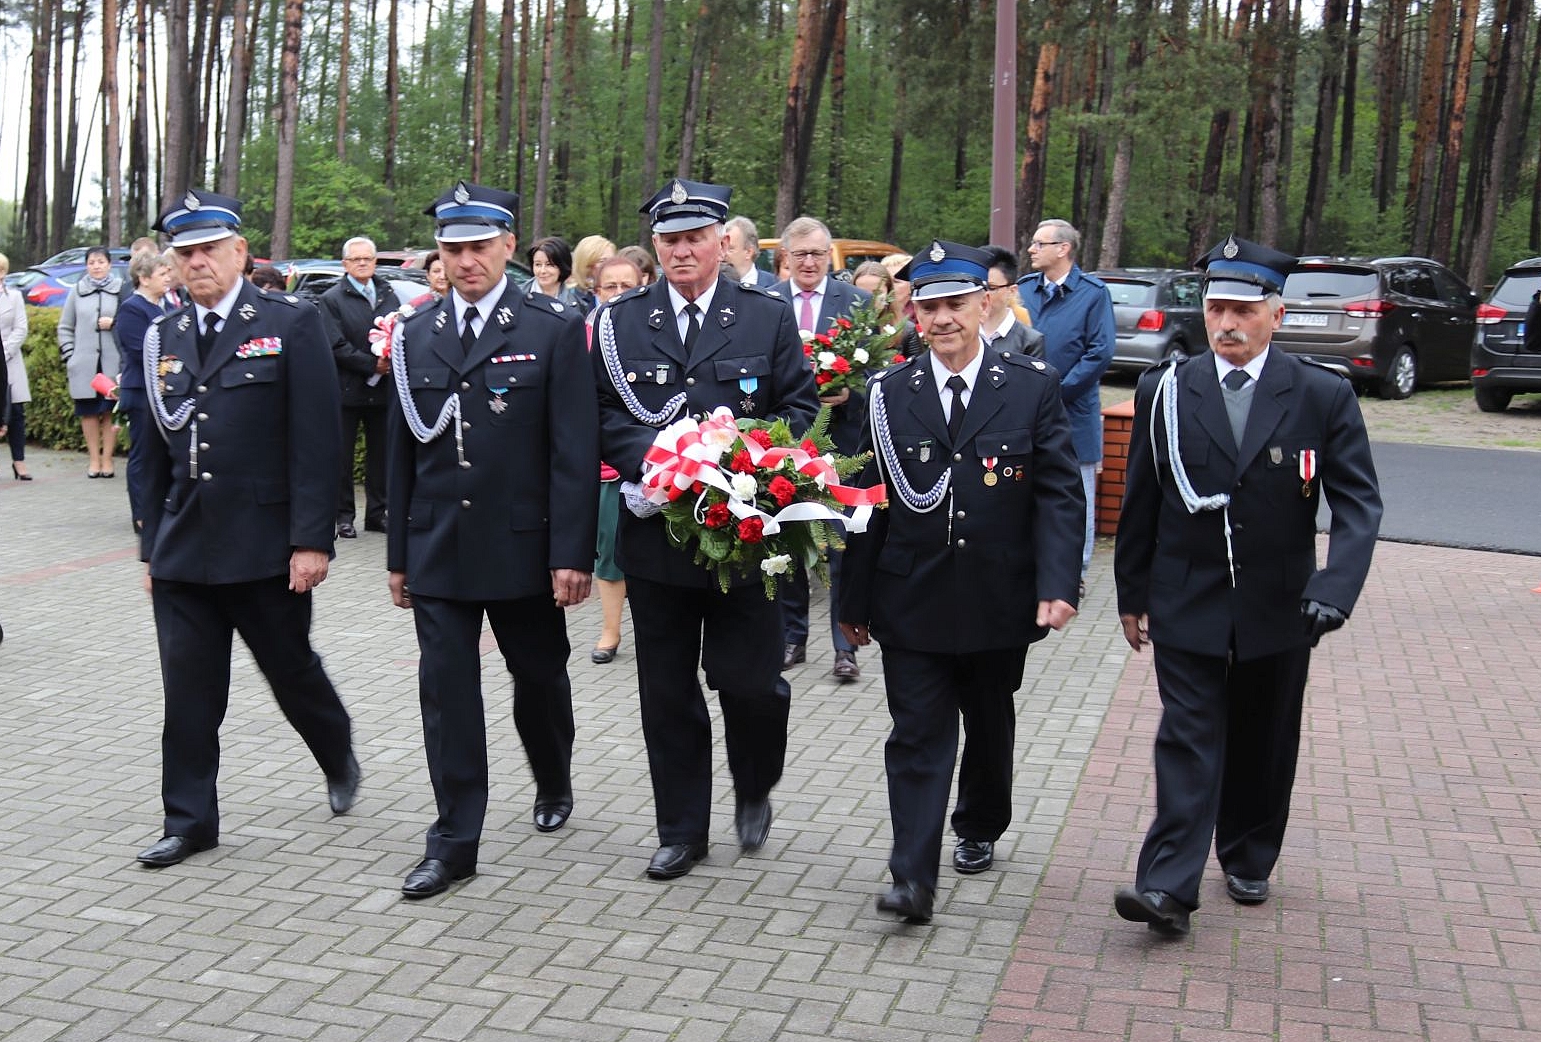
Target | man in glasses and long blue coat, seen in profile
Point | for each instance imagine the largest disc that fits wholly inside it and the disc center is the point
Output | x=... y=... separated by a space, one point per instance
x=1073 y=311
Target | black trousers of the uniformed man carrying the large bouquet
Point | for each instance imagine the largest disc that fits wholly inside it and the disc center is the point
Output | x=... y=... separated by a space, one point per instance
x=737 y=640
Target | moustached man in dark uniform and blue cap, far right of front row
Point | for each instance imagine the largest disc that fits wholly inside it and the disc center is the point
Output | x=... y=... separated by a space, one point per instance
x=1217 y=568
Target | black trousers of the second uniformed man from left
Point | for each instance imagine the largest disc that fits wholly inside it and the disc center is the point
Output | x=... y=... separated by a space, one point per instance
x=532 y=637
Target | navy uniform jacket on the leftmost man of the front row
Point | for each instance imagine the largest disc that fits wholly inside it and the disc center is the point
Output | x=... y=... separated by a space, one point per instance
x=253 y=474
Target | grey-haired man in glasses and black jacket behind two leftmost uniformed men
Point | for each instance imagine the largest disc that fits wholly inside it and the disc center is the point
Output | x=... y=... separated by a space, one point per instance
x=351 y=309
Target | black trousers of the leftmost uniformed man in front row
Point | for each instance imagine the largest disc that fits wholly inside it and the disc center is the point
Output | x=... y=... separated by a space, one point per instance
x=195 y=625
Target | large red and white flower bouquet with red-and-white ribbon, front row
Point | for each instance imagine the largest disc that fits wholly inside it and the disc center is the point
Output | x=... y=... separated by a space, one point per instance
x=745 y=496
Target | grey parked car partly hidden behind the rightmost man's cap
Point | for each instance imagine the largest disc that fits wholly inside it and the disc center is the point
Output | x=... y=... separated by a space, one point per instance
x=1160 y=314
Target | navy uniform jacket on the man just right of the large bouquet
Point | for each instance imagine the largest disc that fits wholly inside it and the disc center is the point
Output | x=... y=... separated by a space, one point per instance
x=969 y=576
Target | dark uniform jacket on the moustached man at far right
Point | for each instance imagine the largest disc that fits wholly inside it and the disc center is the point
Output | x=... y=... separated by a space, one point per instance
x=1172 y=565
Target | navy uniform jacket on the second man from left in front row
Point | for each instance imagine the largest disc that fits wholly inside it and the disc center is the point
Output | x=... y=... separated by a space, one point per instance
x=489 y=522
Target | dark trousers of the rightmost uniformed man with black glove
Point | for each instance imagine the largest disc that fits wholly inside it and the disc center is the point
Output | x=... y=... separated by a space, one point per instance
x=1226 y=755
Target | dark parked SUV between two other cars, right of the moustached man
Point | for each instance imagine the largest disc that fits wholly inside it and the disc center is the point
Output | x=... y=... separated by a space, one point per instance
x=1392 y=323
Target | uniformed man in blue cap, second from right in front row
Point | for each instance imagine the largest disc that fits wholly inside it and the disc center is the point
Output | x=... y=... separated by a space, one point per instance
x=976 y=557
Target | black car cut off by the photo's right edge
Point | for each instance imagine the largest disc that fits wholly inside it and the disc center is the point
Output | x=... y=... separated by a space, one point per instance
x=1506 y=355
